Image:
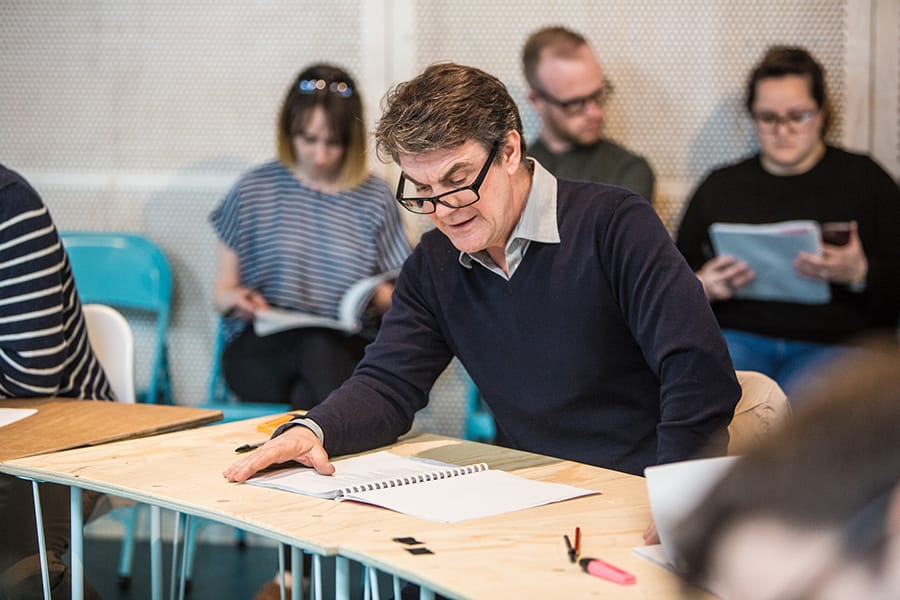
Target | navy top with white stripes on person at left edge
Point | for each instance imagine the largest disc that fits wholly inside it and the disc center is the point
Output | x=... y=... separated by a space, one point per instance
x=44 y=348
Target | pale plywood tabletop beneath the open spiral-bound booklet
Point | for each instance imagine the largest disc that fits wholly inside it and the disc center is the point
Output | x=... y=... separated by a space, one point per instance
x=520 y=554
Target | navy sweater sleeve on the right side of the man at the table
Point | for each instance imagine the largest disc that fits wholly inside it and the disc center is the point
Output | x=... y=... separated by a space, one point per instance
x=665 y=308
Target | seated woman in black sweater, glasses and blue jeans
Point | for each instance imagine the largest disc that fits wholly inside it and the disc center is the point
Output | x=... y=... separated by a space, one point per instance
x=797 y=176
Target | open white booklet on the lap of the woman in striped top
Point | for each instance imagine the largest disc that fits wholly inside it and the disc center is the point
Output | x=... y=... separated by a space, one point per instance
x=350 y=311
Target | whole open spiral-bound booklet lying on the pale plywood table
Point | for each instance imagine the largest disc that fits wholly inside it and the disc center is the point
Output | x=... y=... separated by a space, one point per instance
x=422 y=488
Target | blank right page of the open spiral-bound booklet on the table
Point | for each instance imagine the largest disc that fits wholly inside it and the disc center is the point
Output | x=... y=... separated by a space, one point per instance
x=471 y=496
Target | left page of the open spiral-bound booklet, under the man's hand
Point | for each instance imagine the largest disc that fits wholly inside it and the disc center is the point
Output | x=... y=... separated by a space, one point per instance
x=348 y=472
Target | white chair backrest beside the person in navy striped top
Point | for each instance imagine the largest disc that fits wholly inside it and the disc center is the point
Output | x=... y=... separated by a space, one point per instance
x=113 y=344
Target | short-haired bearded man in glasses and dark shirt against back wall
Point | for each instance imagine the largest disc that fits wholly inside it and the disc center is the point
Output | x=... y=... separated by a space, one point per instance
x=569 y=92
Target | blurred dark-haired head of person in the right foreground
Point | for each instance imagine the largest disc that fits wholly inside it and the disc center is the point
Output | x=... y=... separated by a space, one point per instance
x=814 y=510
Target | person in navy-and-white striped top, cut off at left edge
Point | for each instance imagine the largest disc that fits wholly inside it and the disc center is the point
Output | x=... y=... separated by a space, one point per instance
x=44 y=351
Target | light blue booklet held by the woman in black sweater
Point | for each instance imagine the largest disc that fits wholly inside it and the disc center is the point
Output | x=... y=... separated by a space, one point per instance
x=770 y=250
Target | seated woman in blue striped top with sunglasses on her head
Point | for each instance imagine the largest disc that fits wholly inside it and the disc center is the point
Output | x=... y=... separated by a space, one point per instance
x=296 y=233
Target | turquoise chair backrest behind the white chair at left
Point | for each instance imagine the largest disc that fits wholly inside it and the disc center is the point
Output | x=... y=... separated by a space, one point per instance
x=126 y=271
